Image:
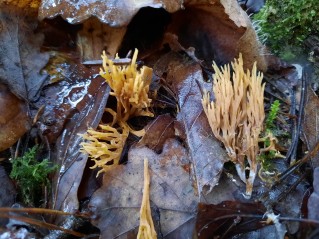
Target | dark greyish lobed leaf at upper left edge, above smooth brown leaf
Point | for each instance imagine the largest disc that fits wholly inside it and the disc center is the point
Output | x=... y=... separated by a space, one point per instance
x=20 y=56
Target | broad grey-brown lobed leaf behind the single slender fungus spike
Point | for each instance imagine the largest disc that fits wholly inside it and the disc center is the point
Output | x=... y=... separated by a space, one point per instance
x=115 y=206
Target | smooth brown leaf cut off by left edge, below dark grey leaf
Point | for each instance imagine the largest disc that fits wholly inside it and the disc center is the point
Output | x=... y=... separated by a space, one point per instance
x=14 y=119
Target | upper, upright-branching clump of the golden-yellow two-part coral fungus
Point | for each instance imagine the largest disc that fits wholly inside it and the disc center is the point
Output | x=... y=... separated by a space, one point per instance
x=129 y=85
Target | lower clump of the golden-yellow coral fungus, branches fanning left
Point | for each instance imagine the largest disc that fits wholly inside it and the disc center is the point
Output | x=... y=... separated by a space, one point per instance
x=104 y=146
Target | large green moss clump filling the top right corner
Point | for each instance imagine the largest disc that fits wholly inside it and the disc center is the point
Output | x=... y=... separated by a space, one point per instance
x=287 y=22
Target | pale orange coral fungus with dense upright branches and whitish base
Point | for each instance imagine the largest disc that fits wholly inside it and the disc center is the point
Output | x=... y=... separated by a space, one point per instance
x=236 y=115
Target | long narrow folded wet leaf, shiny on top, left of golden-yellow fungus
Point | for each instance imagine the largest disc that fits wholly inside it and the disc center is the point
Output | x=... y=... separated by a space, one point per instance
x=90 y=99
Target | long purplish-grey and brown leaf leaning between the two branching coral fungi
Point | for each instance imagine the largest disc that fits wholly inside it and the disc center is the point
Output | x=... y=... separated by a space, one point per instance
x=207 y=155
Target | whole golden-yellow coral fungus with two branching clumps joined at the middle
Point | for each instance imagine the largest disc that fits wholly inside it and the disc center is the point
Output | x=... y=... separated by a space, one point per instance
x=130 y=87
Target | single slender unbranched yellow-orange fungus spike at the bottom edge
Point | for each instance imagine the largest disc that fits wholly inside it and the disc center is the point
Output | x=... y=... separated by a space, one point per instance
x=146 y=229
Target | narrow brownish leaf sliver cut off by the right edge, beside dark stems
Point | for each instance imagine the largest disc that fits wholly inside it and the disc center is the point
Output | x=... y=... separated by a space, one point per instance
x=310 y=125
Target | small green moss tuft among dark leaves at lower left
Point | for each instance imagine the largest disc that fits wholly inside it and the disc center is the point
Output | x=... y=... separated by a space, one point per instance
x=31 y=175
